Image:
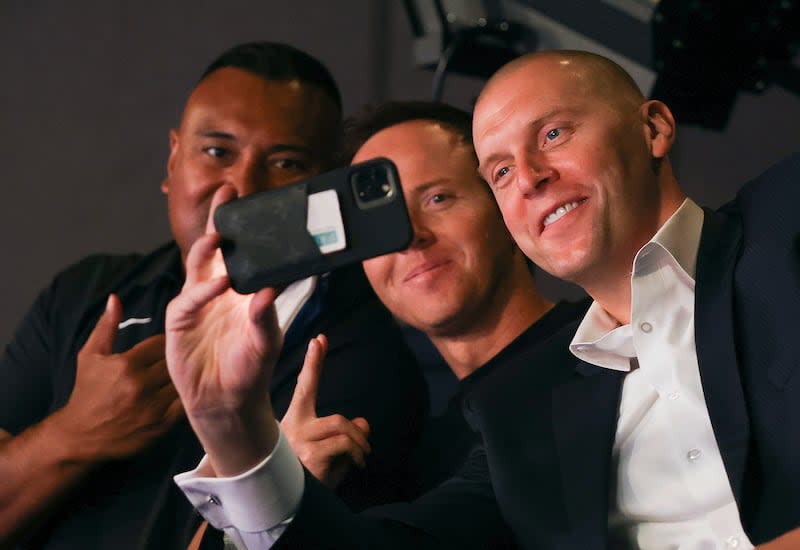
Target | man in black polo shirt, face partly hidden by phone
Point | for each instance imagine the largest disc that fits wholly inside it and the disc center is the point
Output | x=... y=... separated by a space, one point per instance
x=91 y=430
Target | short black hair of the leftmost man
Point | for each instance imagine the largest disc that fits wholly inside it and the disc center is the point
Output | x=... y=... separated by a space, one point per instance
x=278 y=61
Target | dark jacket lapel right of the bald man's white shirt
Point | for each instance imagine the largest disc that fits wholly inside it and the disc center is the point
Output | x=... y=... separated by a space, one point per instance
x=714 y=337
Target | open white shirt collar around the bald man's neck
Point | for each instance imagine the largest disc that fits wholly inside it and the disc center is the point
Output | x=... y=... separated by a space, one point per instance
x=599 y=339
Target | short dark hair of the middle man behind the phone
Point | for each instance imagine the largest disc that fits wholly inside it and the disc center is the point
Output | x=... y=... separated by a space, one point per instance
x=359 y=128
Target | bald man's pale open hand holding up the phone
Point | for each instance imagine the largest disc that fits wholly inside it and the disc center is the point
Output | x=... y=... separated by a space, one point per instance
x=221 y=350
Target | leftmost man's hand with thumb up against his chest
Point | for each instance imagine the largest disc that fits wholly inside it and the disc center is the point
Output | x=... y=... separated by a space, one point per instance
x=121 y=402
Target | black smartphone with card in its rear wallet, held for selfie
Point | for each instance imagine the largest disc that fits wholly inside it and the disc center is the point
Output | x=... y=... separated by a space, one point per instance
x=313 y=226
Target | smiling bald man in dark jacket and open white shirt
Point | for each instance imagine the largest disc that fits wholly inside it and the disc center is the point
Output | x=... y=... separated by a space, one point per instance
x=668 y=418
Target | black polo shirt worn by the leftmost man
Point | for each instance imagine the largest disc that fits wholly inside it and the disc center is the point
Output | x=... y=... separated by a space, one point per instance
x=134 y=503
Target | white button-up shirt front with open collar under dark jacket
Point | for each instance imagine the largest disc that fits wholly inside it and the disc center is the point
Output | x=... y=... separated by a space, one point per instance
x=672 y=491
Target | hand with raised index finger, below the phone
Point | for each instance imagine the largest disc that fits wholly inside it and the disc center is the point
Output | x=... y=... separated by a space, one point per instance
x=329 y=446
